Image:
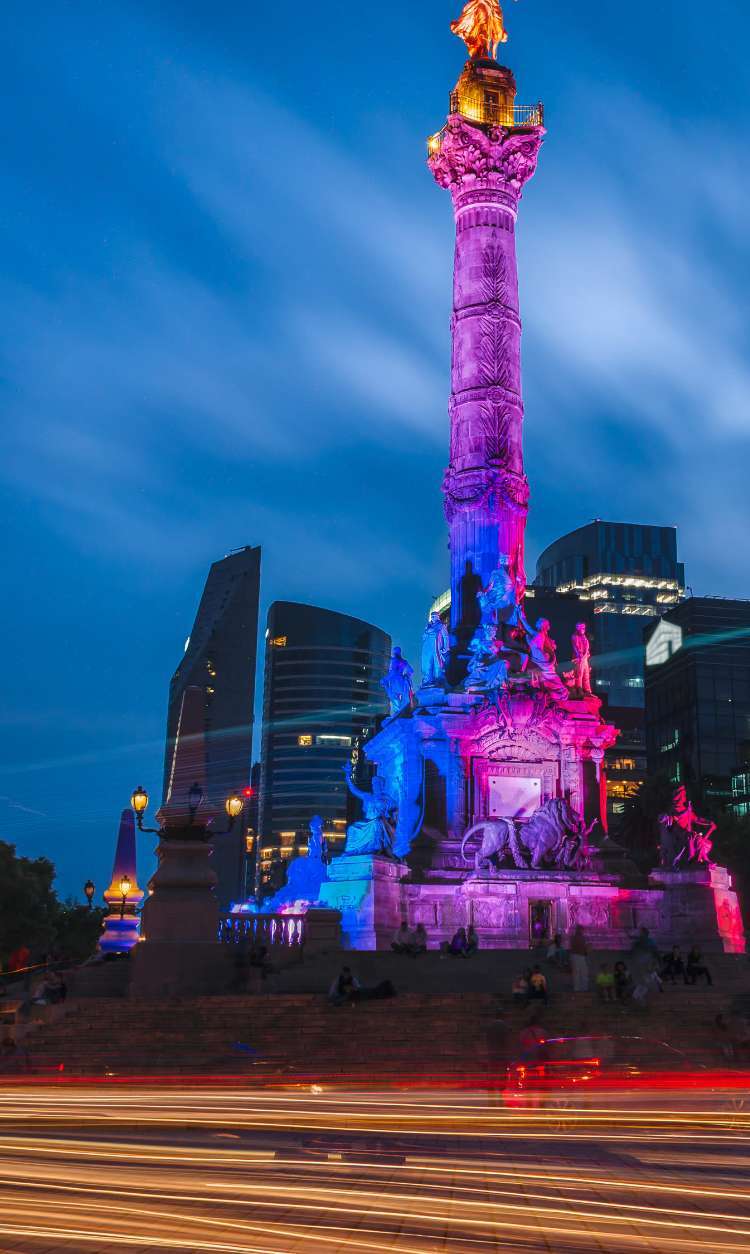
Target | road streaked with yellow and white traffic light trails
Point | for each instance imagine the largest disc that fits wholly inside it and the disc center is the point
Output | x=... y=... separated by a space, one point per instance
x=132 y=1168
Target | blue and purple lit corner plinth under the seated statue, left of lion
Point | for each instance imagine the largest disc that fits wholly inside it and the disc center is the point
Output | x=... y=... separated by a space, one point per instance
x=367 y=890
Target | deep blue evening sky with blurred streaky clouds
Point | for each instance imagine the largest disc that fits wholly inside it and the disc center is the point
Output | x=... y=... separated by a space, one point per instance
x=225 y=290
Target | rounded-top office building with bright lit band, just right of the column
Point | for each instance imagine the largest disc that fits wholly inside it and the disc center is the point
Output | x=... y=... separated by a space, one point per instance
x=629 y=574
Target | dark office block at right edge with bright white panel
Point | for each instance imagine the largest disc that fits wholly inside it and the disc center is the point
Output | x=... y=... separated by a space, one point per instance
x=698 y=698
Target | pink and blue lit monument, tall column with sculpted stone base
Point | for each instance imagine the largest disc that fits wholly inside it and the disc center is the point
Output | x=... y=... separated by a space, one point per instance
x=492 y=772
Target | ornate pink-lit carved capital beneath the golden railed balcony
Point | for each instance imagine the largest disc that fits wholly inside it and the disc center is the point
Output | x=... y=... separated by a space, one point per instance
x=466 y=154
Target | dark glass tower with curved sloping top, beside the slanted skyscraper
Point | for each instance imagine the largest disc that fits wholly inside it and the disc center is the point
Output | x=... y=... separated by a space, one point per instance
x=322 y=699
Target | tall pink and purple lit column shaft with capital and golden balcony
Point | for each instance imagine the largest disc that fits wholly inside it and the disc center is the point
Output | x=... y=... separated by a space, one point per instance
x=486 y=492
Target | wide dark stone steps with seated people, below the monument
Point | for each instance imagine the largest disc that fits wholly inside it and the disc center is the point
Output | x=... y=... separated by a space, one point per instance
x=452 y=1021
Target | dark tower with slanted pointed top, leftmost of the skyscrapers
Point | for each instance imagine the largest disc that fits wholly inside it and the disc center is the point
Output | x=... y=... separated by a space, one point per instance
x=220 y=658
